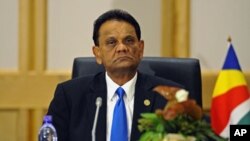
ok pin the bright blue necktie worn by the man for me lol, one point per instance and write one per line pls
(119, 130)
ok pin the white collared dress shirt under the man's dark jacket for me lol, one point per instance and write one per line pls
(112, 98)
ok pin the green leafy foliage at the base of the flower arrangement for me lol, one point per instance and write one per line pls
(154, 127)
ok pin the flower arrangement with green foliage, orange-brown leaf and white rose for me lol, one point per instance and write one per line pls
(180, 120)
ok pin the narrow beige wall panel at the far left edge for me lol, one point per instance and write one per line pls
(9, 34)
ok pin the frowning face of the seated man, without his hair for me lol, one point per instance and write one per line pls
(119, 48)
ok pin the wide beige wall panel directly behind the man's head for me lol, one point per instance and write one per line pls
(70, 25)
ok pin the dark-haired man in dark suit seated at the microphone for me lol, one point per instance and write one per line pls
(119, 48)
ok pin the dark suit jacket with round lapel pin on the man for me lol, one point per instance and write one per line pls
(73, 106)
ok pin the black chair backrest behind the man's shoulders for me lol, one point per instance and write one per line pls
(185, 71)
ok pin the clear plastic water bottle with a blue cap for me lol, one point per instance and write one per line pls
(47, 132)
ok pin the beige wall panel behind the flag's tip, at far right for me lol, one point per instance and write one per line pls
(212, 21)
